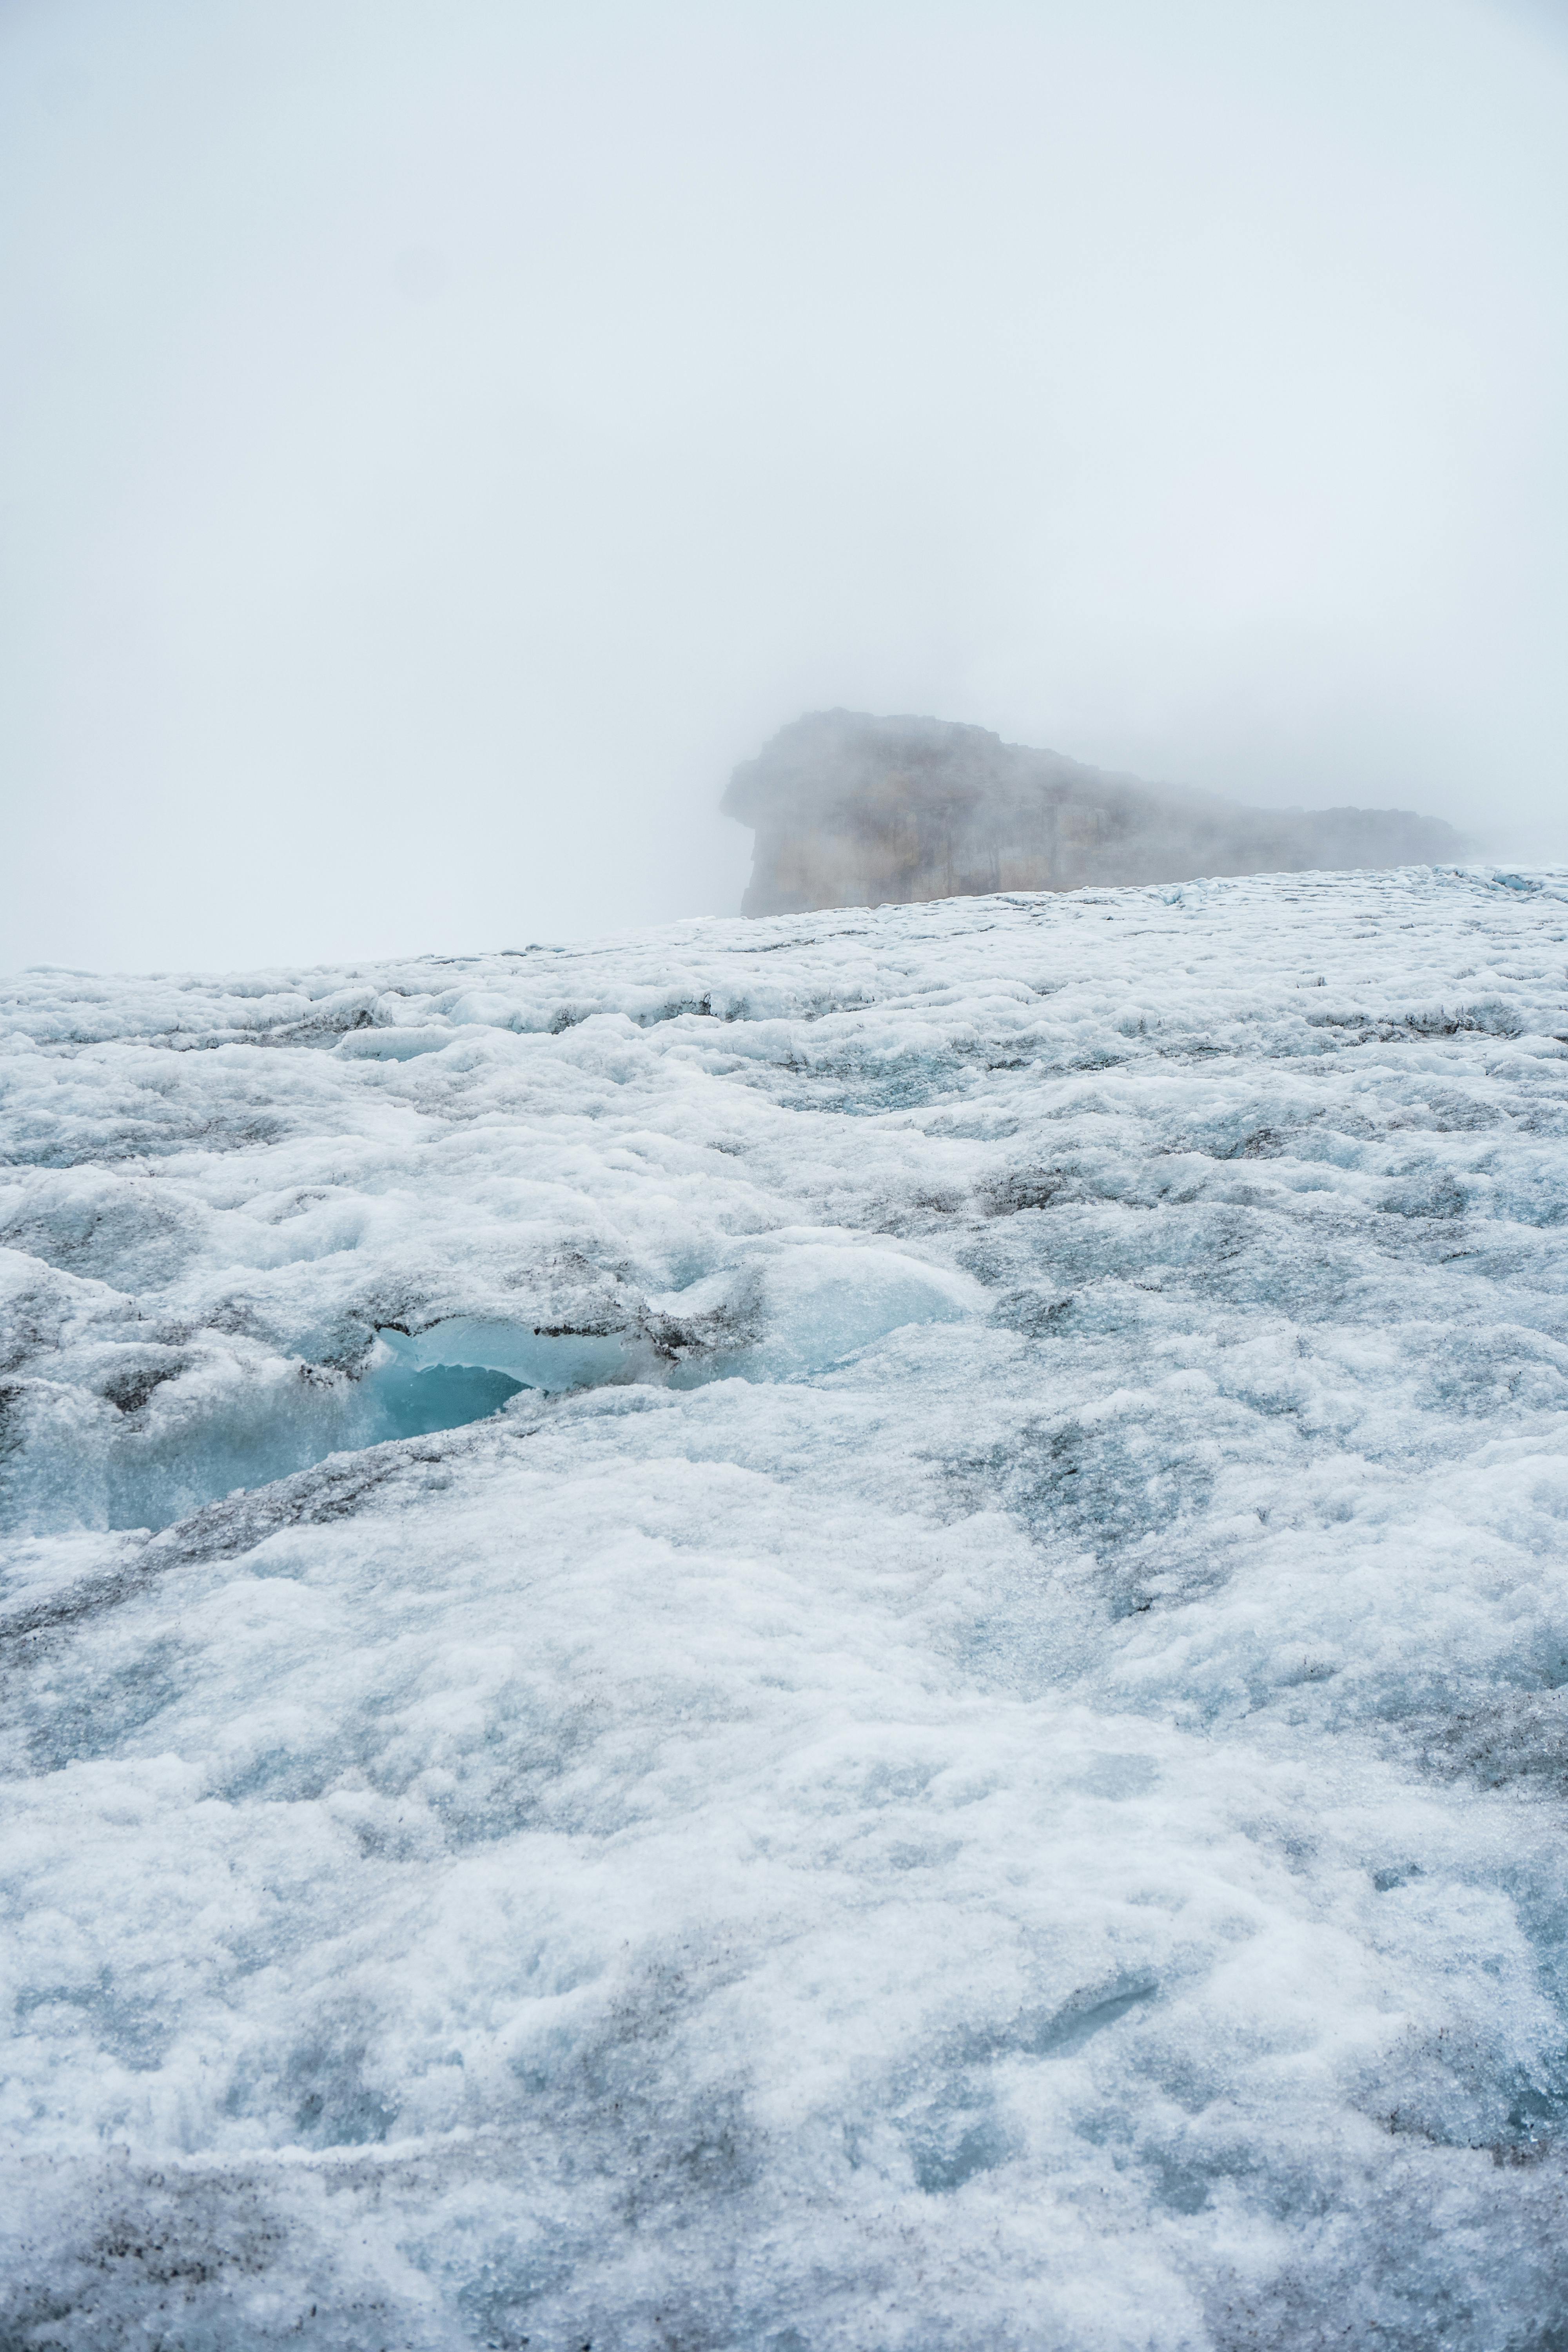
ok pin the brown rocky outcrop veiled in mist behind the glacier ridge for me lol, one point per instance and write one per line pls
(859, 810)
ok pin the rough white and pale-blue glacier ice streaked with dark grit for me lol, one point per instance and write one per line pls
(972, 1756)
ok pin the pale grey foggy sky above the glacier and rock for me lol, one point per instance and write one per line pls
(438, 441)
